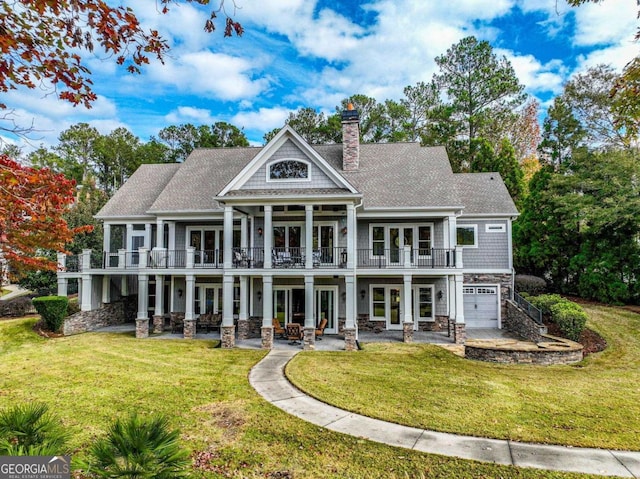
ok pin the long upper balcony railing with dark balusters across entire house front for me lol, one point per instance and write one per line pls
(254, 258)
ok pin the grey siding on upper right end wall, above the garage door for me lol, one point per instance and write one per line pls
(493, 248)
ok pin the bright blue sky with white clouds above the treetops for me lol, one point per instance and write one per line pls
(305, 53)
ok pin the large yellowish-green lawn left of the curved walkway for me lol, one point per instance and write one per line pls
(92, 378)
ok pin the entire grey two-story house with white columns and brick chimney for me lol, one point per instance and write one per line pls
(367, 236)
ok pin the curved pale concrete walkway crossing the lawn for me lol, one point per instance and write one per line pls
(268, 379)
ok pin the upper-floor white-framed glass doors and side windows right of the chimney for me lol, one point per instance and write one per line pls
(397, 236)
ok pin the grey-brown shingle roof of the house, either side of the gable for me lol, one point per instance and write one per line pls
(390, 175)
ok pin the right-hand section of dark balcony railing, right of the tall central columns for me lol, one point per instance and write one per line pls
(434, 258)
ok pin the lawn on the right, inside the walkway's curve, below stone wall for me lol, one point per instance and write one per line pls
(595, 403)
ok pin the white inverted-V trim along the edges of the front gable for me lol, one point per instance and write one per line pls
(285, 134)
